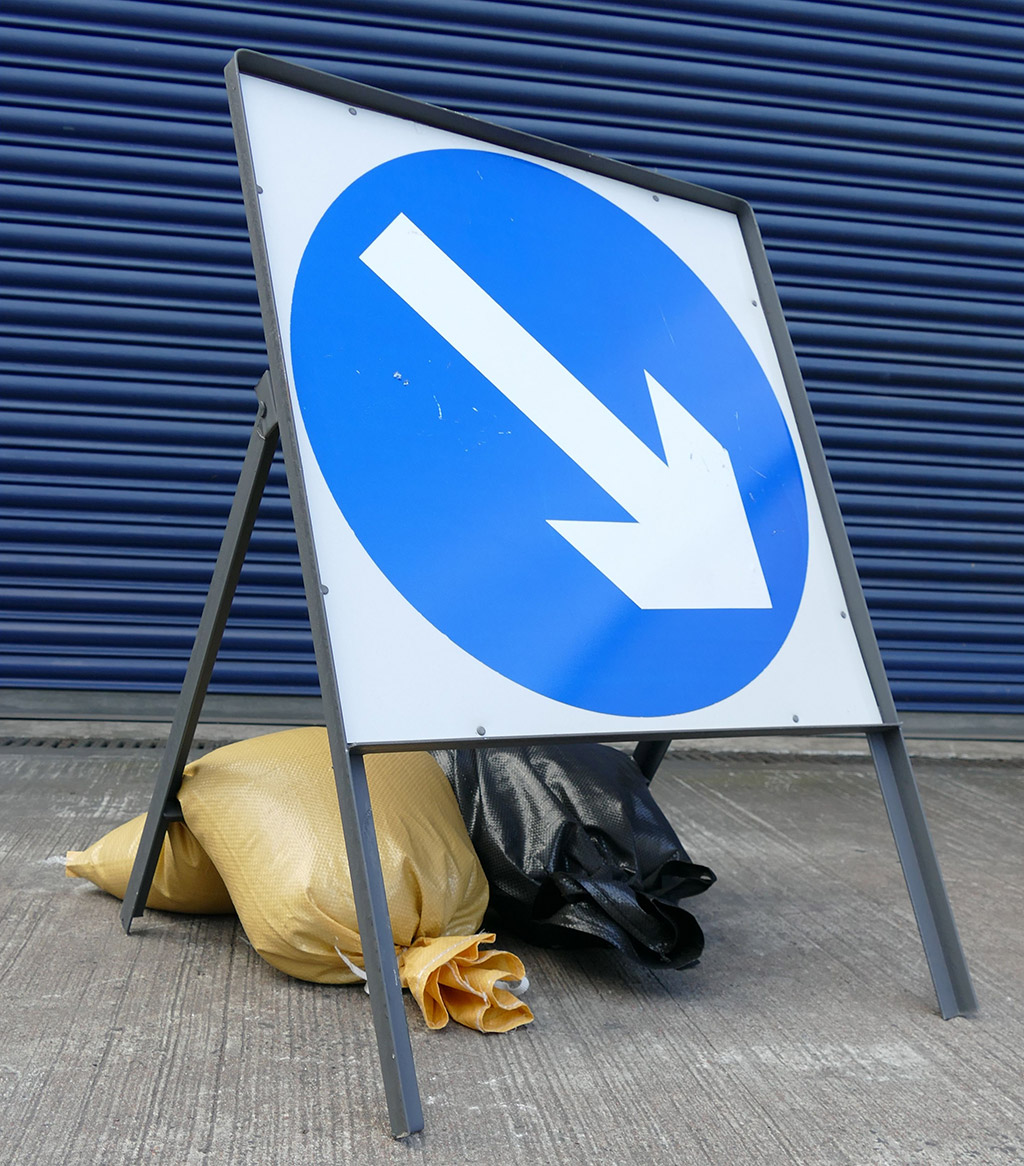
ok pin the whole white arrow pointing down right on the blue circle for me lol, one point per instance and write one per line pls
(691, 544)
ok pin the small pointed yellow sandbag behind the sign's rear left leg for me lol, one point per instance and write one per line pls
(186, 880)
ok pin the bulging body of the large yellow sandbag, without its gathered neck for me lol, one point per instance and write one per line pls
(266, 812)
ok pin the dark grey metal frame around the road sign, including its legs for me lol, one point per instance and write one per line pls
(942, 944)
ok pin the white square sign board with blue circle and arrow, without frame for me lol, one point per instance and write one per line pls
(555, 477)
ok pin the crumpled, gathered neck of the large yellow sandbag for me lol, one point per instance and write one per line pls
(450, 977)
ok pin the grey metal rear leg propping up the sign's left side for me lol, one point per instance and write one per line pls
(164, 806)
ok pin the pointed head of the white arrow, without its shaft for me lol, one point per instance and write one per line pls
(691, 546)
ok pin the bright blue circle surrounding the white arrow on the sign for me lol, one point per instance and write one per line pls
(451, 488)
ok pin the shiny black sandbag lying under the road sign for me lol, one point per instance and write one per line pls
(577, 852)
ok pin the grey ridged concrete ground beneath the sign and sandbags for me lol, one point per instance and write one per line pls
(808, 1035)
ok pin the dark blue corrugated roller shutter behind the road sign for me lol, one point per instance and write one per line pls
(880, 144)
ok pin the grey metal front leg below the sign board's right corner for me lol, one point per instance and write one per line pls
(924, 880)
